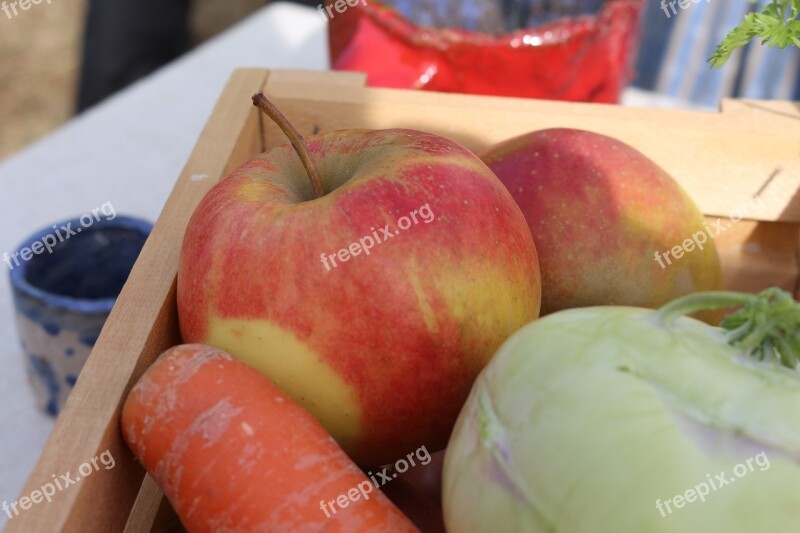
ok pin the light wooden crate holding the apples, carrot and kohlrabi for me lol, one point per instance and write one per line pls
(722, 159)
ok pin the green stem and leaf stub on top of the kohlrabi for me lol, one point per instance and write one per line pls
(767, 326)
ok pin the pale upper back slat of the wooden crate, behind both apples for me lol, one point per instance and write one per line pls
(721, 159)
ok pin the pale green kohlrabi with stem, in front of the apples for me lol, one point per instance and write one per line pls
(627, 420)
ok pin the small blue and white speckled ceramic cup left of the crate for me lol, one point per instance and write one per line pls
(65, 280)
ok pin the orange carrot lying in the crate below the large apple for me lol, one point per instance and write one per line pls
(232, 452)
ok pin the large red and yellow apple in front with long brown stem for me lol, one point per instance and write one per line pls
(380, 342)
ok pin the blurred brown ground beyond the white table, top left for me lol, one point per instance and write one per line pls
(40, 50)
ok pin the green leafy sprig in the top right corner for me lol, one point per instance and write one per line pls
(778, 24)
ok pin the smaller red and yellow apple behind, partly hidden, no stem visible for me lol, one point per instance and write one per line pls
(603, 216)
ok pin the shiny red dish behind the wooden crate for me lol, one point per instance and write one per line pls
(587, 58)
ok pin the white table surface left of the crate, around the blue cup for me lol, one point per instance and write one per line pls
(128, 151)
